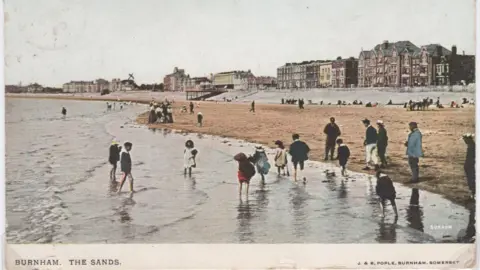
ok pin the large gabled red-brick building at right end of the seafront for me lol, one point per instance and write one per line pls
(402, 63)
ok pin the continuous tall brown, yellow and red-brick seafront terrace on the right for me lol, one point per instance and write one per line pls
(396, 64)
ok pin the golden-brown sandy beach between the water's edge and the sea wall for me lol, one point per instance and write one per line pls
(441, 170)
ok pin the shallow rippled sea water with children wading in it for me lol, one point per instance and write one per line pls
(58, 190)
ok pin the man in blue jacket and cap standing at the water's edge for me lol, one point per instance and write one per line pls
(414, 150)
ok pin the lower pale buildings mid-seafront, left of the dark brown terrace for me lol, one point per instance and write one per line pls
(179, 80)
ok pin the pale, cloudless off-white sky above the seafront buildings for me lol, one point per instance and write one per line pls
(54, 41)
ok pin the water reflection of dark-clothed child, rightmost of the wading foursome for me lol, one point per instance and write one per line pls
(298, 200)
